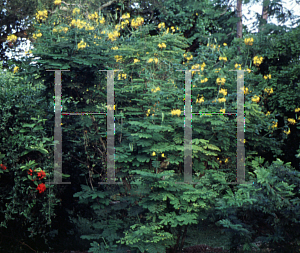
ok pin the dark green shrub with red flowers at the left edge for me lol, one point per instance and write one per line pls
(26, 158)
